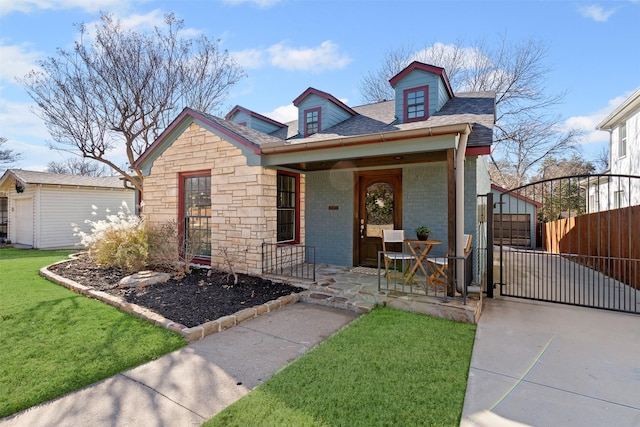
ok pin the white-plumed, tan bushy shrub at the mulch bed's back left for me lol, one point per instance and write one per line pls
(118, 241)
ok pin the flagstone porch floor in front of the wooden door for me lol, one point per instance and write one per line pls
(357, 289)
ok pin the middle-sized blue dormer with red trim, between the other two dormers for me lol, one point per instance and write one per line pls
(318, 110)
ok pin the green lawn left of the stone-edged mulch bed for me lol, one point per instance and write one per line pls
(54, 341)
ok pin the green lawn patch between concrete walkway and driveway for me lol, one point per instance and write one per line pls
(388, 368)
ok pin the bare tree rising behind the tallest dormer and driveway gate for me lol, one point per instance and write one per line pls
(526, 130)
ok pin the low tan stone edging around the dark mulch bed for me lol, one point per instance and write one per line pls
(190, 334)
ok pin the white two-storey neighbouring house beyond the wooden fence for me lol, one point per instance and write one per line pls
(623, 125)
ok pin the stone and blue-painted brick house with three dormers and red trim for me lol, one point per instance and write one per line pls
(332, 179)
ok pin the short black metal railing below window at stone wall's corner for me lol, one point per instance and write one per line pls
(295, 261)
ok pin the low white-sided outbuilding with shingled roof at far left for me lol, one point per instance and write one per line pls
(42, 206)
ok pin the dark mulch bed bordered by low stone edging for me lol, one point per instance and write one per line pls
(195, 299)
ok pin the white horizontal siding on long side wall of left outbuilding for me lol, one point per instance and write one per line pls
(59, 207)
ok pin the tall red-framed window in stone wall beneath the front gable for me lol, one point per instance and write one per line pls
(196, 214)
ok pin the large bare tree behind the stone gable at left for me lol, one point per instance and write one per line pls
(119, 88)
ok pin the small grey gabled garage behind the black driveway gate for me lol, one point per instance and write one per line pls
(518, 224)
